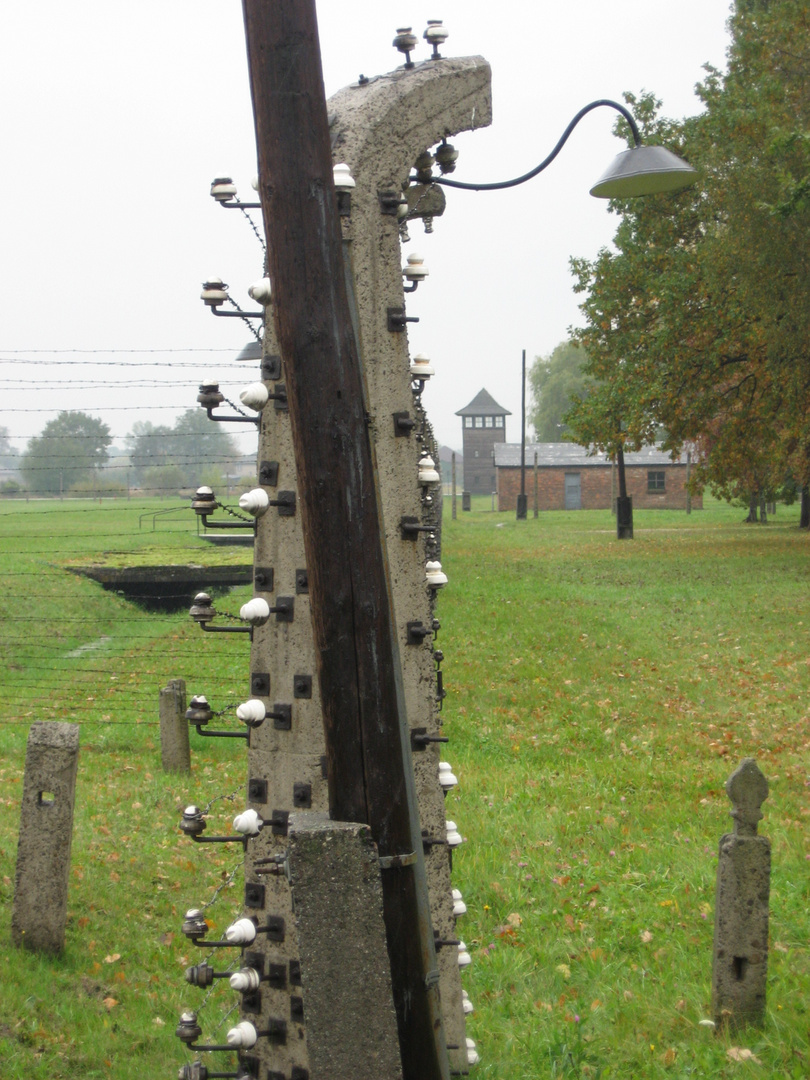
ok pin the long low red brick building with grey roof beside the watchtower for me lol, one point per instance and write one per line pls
(570, 480)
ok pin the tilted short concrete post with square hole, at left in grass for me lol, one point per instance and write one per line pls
(46, 834)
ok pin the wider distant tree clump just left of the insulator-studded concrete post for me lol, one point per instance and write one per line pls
(194, 448)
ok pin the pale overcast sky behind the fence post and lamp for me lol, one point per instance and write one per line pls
(116, 118)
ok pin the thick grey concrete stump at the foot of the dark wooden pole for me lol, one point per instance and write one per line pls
(349, 1011)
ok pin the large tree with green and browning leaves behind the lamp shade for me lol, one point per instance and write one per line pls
(700, 320)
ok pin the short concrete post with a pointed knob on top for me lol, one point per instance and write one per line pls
(741, 907)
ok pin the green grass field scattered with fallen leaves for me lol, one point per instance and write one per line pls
(600, 695)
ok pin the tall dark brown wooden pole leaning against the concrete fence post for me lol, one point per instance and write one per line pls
(362, 701)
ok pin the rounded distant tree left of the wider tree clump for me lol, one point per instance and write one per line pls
(72, 447)
